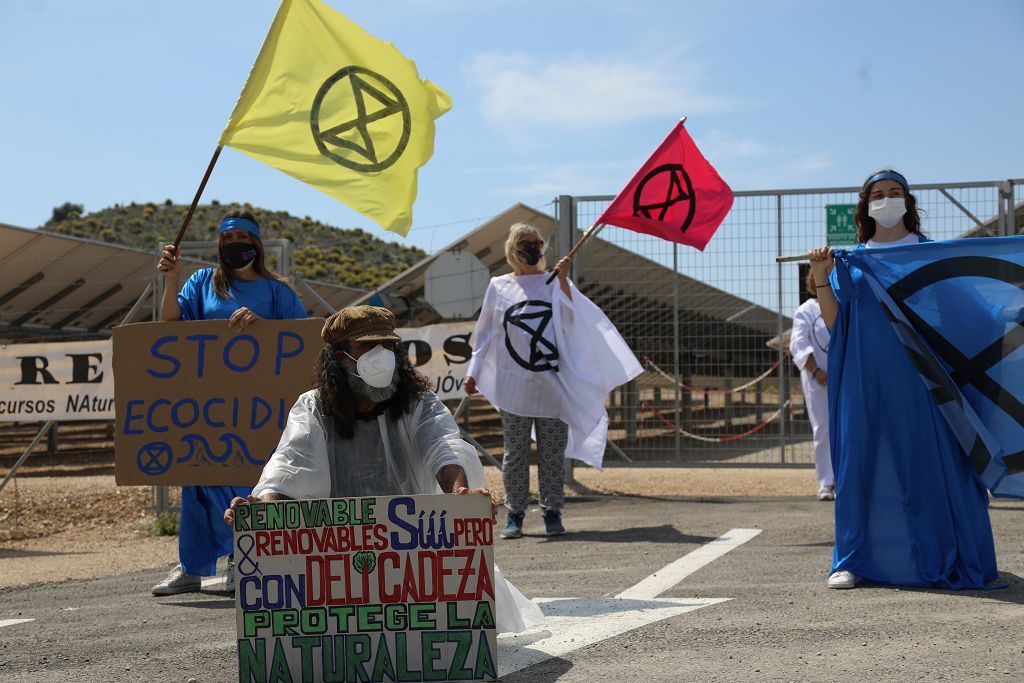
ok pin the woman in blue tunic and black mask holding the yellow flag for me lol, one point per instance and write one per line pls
(242, 290)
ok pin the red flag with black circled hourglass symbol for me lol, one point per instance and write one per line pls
(676, 196)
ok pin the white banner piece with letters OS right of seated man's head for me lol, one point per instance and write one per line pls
(441, 353)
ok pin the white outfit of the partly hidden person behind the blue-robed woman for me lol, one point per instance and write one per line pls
(810, 336)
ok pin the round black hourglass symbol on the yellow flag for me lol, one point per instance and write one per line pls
(365, 105)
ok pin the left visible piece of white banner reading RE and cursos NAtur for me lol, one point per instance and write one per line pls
(63, 381)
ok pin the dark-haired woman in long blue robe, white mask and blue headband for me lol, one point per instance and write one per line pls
(910, 510)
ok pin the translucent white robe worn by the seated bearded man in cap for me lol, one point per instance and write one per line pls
(414, 449)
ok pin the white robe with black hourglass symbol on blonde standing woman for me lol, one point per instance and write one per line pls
(538, 354)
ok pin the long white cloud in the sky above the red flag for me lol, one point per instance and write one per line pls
(520, 92)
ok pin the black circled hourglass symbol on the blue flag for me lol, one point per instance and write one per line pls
(969, 370)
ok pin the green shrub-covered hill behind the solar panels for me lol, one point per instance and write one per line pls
(344, 257)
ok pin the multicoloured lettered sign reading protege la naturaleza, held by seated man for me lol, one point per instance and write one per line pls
(366, 589)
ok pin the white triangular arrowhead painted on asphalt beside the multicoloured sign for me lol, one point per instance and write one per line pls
(574, 623)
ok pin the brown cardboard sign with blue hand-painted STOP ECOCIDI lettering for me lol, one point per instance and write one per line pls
(198, 403)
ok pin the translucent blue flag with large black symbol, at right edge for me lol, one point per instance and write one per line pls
(958, 309)
